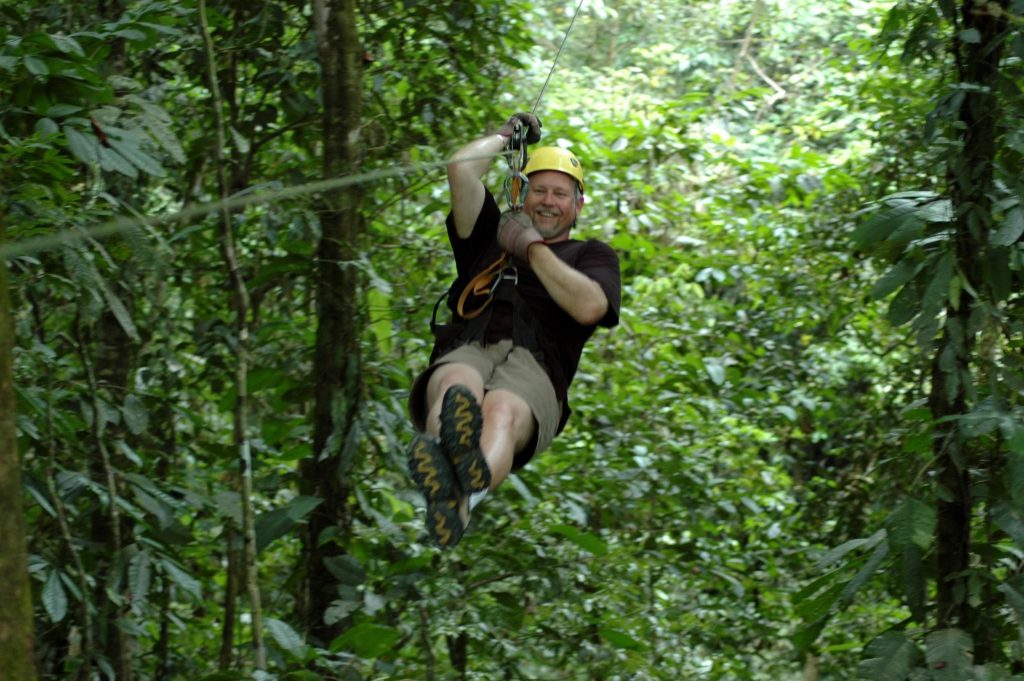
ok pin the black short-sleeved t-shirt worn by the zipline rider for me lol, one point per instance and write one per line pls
(568, 337)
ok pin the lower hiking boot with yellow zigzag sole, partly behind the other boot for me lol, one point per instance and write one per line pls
(436, 478)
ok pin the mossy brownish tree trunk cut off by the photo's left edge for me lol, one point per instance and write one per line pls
(16, 607)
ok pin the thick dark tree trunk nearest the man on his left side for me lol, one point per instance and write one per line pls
(337, 364)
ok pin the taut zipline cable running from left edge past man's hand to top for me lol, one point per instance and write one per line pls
(39, 244)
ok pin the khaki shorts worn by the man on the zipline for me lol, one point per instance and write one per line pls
(503, 367)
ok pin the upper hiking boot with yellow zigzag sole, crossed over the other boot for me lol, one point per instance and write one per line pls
(461, 427)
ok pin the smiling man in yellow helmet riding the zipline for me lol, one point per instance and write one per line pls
(496, 393)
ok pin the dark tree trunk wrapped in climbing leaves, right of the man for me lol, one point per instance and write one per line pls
(970, 177)
